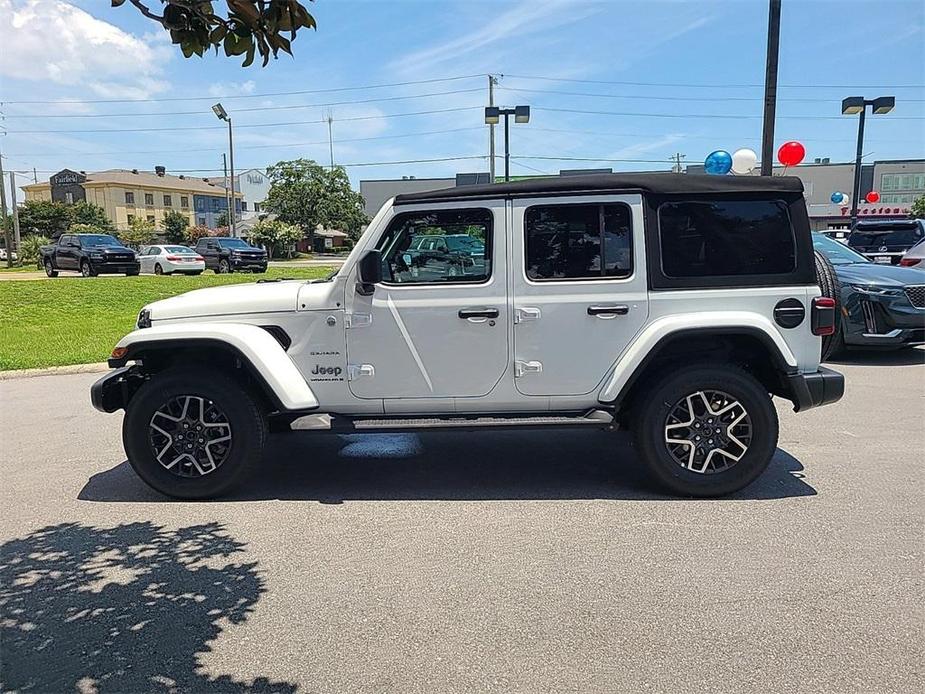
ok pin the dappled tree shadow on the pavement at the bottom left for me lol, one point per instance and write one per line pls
(123, 609)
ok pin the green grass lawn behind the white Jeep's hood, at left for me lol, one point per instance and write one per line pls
(72, 320)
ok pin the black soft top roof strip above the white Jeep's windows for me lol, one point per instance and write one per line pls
(659, 183)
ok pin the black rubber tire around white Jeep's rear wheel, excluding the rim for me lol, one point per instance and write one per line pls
(662, 396)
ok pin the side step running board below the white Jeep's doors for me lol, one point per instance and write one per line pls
(592, 418)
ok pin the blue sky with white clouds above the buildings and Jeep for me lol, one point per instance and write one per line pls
(660, 77)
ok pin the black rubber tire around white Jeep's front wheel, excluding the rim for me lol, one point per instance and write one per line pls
(248, 431)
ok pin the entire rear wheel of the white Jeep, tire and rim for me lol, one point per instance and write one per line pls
(706, 430)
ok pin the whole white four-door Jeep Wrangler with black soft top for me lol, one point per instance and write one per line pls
(675, 305)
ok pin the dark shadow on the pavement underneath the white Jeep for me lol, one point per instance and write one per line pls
(499, 465)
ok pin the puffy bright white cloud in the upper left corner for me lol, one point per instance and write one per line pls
(58, 42)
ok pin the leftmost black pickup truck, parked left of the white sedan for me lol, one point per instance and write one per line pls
(89, 254)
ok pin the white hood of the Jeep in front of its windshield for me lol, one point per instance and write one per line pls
(243, 299)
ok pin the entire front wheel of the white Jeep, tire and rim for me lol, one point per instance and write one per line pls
(193, 434)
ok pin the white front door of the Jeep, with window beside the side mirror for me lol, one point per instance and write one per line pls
(436, 326)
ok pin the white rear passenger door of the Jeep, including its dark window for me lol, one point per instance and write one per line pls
(580, 293)
